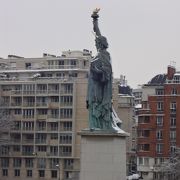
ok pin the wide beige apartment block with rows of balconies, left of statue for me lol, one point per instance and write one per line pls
(46, 99)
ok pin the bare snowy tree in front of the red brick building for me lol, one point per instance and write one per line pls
(171, 167)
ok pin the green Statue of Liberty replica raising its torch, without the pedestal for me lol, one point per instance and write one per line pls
(99, 96)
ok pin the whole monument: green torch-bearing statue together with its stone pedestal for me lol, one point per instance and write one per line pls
(103, 144)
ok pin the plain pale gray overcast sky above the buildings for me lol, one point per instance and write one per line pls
(143, 35)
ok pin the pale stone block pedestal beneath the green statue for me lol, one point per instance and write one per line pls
(103, 155)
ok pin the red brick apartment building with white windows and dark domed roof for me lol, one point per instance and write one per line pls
(158, 122)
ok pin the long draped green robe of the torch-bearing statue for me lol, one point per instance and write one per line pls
(100, 92)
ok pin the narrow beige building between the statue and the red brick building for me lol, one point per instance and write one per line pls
(123, 102)
